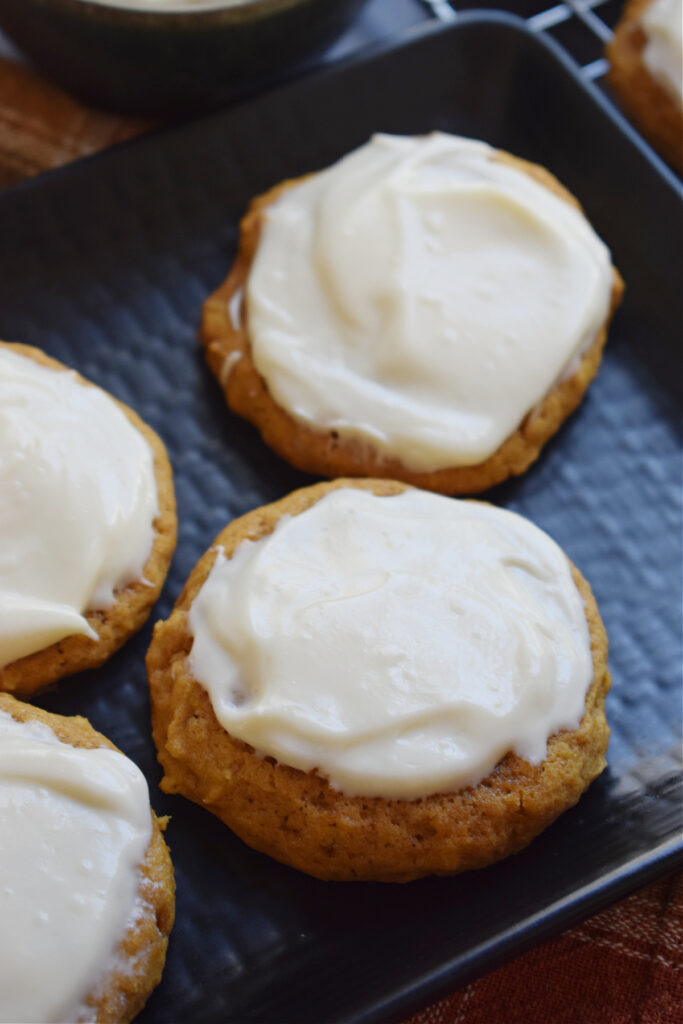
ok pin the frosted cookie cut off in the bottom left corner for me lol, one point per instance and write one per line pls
(88, 894)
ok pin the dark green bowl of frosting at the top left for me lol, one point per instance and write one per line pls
(142, 57)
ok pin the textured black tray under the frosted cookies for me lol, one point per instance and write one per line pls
(106, 267)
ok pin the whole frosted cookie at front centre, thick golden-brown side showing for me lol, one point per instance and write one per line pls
(369, 681)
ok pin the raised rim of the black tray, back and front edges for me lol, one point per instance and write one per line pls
(639, 871)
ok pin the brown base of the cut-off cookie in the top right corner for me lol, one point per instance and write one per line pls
(655, 111)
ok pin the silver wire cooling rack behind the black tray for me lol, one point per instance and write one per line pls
(582, 27)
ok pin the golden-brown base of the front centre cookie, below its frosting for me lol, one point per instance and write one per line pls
(300, 820)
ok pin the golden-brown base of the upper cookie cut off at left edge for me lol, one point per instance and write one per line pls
(134, 604)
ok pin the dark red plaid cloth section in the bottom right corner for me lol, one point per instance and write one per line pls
(624, 966)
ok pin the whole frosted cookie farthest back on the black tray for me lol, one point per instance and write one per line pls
(428, 310)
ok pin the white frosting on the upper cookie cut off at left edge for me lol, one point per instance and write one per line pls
(78, 500)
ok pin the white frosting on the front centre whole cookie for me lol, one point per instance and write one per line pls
(401, 646)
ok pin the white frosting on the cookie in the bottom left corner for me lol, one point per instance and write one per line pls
(75, 826)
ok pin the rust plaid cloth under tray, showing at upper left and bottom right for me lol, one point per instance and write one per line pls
(624, 966)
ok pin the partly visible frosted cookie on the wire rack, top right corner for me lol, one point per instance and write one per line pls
(647, 72)
